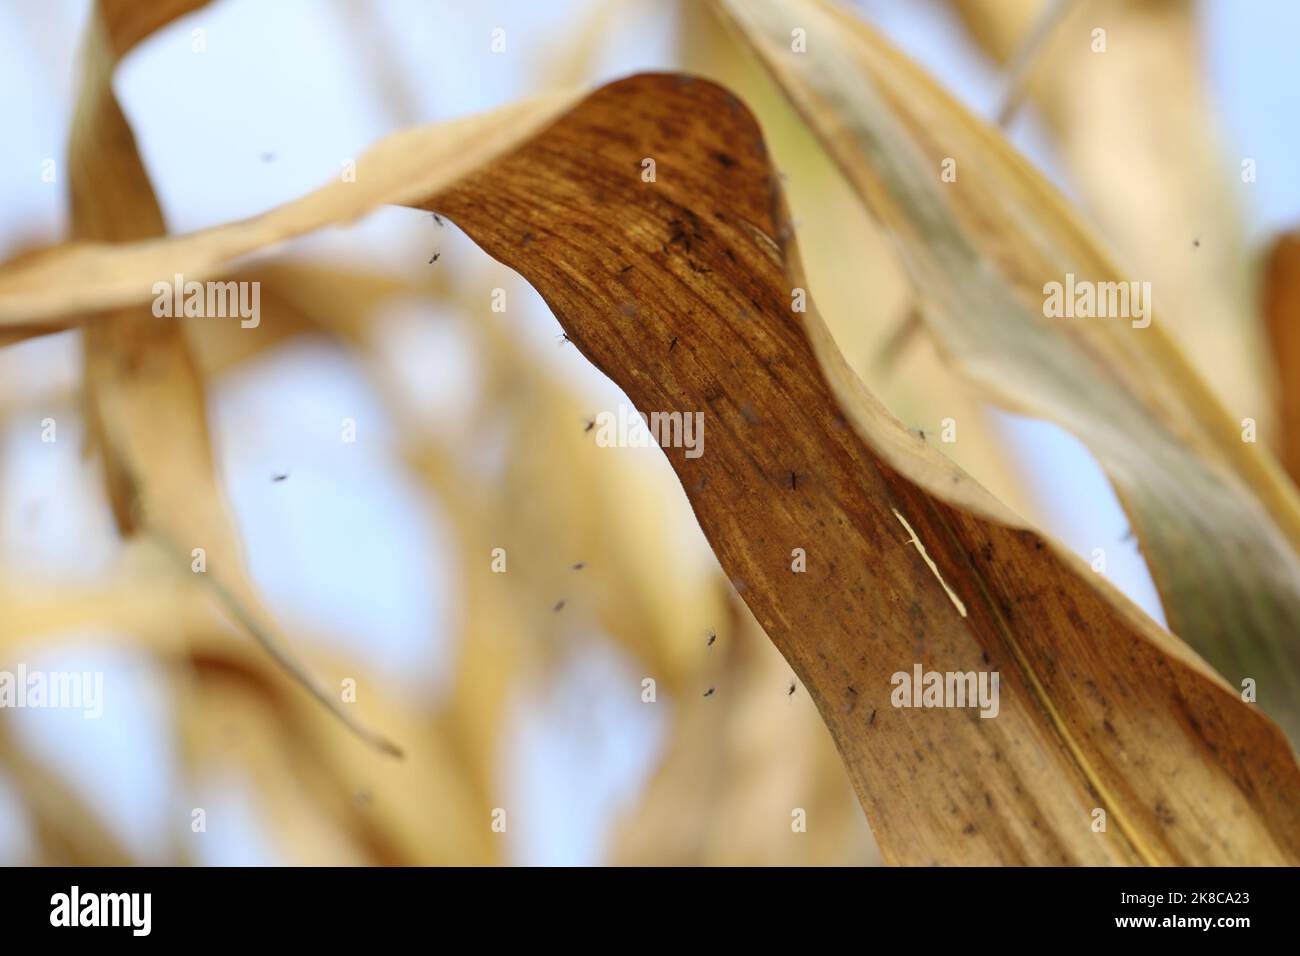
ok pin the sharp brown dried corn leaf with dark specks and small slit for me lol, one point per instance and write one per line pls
(1099, 707)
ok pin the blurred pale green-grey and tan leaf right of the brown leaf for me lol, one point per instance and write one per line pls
(1216, 517)
